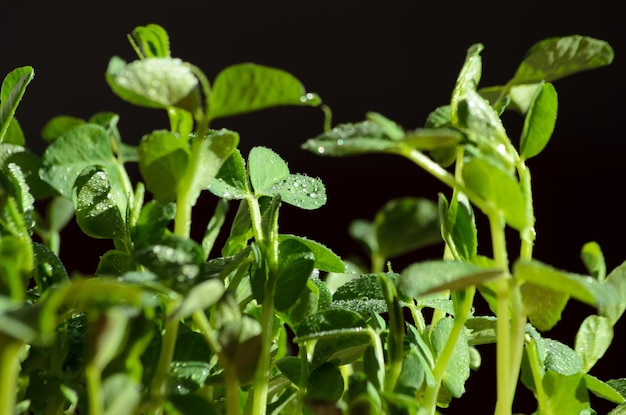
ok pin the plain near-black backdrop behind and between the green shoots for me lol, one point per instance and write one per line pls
(399, 58)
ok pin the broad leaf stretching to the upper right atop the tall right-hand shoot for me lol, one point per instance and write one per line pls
(558, 57)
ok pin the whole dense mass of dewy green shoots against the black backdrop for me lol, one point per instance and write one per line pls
(167, 326)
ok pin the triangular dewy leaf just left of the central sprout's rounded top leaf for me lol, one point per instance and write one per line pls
(231, 181)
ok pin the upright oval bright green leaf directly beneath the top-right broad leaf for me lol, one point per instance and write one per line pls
(539, 122)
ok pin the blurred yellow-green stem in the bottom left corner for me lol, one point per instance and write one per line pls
(10, 350)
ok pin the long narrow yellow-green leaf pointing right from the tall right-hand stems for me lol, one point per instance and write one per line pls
(583, 288)
